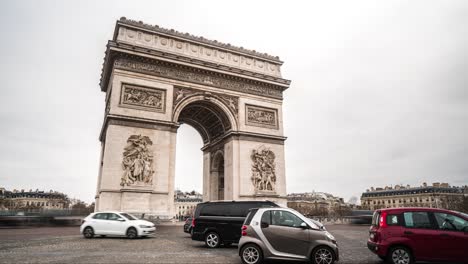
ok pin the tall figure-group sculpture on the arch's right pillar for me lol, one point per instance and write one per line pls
(263, 169)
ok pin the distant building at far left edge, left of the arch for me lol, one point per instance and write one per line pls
(24, 200)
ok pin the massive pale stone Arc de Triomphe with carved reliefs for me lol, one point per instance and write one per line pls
(156, 79)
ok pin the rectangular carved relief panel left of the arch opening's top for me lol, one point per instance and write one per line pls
(143, 97)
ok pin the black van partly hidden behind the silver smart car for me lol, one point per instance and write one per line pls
(219, 223)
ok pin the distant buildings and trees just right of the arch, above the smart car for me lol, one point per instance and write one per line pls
(318, 204)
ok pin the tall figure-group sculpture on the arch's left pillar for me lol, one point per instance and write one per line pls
(137, 162)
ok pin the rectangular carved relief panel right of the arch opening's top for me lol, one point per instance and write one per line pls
(261, 116)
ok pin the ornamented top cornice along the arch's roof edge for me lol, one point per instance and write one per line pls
(172, 32)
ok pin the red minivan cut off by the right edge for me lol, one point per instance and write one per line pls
(405, 235)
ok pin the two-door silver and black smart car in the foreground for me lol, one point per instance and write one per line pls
(283, 233)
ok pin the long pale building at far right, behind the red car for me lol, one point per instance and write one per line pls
(439, 195)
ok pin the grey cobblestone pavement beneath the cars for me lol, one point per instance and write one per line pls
(169, 245)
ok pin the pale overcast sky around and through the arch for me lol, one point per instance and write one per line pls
(379, 92)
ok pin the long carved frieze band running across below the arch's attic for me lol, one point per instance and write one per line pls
(186, 74)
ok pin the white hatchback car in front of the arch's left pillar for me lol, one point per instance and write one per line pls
(115, 224)
